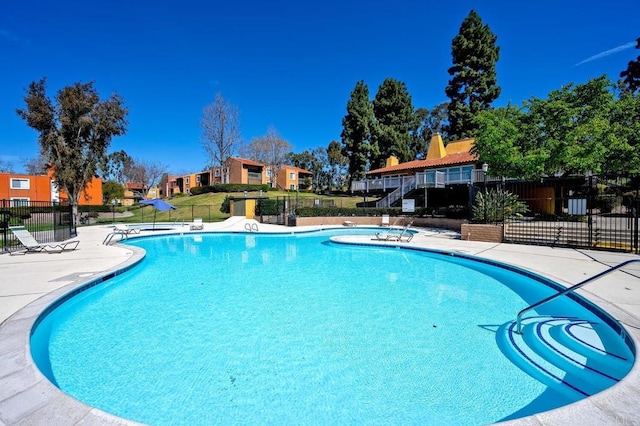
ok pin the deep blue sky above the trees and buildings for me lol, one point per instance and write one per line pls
(284, 63)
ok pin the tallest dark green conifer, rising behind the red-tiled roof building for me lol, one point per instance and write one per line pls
(473, 85)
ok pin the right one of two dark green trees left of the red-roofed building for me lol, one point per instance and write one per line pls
(395, 122)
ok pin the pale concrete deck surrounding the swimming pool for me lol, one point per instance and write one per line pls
(29, 283)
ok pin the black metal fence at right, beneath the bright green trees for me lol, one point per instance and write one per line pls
(583, 212)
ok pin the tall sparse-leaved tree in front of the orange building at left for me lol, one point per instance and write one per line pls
(75, 132)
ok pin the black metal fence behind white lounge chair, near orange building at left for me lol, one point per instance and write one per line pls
(48, 222)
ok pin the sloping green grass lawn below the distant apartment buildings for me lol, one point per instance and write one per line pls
(207, 206)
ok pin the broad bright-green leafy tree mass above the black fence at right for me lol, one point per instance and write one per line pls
(575, 130)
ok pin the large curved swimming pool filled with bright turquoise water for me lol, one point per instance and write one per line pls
(359, 337)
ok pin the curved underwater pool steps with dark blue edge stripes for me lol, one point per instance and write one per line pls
(577, 357)
